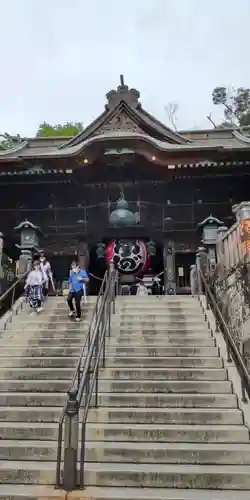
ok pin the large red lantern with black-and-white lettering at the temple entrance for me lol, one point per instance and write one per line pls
(128, 256)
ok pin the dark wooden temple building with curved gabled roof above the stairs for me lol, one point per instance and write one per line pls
(126, 181)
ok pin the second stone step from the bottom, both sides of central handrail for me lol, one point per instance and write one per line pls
(137, 475)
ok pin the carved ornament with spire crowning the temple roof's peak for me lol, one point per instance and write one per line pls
(123, 93)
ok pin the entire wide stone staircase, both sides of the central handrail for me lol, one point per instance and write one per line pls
(168, 427)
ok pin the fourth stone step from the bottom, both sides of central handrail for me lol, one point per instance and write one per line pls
(130, 432)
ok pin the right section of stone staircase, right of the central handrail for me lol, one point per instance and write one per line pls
(169, 426)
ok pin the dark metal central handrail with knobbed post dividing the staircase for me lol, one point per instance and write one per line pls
(84, 383)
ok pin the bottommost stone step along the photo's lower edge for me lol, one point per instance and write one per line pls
(41, 492)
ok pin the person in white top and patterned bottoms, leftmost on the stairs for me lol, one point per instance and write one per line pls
(34, 287)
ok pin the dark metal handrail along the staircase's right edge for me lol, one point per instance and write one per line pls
(232, 348)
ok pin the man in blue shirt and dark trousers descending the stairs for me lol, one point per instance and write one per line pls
(77, 281)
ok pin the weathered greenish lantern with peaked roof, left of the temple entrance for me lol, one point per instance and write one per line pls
(29, 235)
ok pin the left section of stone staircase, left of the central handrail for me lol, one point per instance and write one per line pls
(38, 356)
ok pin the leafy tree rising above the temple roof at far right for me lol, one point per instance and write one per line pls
(236, 104)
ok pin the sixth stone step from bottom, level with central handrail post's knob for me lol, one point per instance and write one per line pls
(124, 400)
